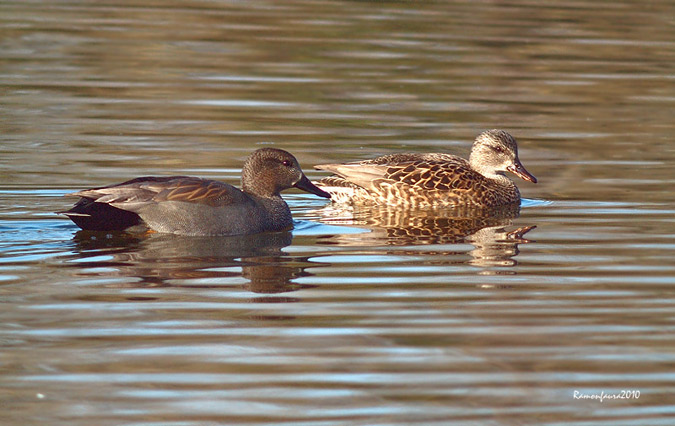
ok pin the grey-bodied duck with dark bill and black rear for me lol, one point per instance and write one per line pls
(193, 206)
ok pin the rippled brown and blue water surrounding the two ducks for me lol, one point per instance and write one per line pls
(360, 317)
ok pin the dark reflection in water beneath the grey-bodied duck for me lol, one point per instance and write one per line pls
(163, 260)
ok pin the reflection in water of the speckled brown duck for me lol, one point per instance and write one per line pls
(485, 229)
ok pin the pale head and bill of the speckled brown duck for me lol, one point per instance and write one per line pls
(496, 151)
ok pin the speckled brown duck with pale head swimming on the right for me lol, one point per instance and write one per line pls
(435, 179)
